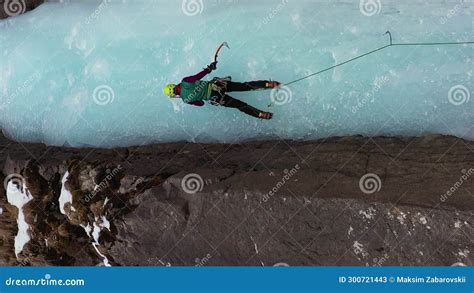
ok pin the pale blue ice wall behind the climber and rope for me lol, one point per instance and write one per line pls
(92, 72)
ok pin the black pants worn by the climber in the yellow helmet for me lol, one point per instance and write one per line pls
(222, 99)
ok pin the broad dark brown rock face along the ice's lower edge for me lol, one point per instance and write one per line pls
(339, 201)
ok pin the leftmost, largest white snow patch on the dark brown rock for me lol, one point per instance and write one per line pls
(19, 196)
